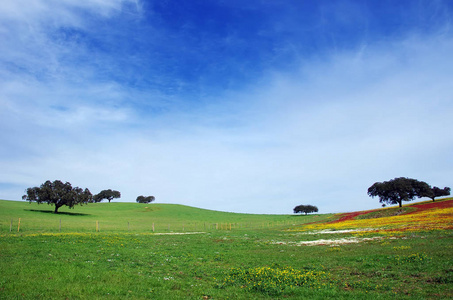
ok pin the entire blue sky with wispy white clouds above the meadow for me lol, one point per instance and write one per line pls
(251, 107)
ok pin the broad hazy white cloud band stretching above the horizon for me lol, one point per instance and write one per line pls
(320, 136)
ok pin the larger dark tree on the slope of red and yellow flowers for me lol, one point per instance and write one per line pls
(400, 189)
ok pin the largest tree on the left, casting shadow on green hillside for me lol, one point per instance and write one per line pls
(58, 193)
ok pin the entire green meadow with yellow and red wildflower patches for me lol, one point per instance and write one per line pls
(110, 251)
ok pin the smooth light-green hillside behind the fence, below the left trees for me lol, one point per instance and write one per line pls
(131, 217)
